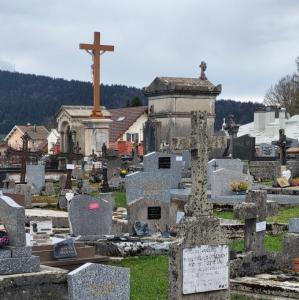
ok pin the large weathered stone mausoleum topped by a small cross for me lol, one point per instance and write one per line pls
(170, 102)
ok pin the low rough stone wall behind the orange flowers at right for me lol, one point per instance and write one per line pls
(264, 170)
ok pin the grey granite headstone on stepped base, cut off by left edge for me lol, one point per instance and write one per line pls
(16, 257)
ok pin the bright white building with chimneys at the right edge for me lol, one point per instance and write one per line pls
(266, 125)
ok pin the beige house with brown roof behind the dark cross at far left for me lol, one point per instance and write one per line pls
(38, 137)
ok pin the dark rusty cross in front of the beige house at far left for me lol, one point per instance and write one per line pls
(24, 154)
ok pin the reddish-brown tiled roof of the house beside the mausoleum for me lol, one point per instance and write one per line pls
(124, 118)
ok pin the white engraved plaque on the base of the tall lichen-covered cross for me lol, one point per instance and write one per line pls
(205, 268)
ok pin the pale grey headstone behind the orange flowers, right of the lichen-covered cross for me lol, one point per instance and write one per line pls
(222, 179)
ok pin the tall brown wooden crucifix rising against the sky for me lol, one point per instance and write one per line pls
(96, 49)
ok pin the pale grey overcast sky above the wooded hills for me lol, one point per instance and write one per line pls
(247, 45)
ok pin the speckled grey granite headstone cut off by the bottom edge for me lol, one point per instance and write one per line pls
(99, 282)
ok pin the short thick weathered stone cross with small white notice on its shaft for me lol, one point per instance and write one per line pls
(255, 210)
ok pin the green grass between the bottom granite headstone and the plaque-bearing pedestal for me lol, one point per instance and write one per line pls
(149, 277)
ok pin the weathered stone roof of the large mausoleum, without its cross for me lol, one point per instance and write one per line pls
(180, 85)
